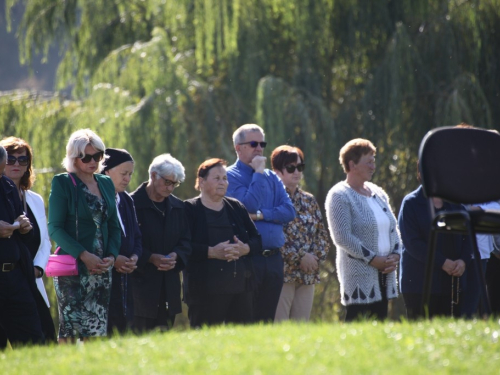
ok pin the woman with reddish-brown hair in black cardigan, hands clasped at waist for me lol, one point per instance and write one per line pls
(218, 277)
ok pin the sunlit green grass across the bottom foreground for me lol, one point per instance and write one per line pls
(440, 346)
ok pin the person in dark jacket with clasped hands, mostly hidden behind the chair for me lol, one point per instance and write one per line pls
(452, 255)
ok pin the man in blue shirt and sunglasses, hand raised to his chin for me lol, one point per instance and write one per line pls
(265, 198)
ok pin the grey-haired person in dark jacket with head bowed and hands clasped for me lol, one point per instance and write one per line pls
(166, 246)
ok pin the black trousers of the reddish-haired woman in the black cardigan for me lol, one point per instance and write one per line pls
(214, 309)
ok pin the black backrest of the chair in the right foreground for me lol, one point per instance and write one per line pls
(461, 165)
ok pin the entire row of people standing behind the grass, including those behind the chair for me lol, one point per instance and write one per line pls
(249, 246)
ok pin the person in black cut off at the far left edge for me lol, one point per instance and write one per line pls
(19, 319)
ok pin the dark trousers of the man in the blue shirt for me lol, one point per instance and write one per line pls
(269, 279)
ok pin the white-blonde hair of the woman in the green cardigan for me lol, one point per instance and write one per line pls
(76, 147)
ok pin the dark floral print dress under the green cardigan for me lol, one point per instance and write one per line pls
(84, 299)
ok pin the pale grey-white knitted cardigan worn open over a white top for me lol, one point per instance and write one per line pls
(353, 228)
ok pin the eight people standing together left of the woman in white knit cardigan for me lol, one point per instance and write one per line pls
(131, 248)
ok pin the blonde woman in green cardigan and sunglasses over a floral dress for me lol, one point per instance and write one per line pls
(83, 221)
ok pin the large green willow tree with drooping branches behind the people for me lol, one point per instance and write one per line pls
(179, 76)
